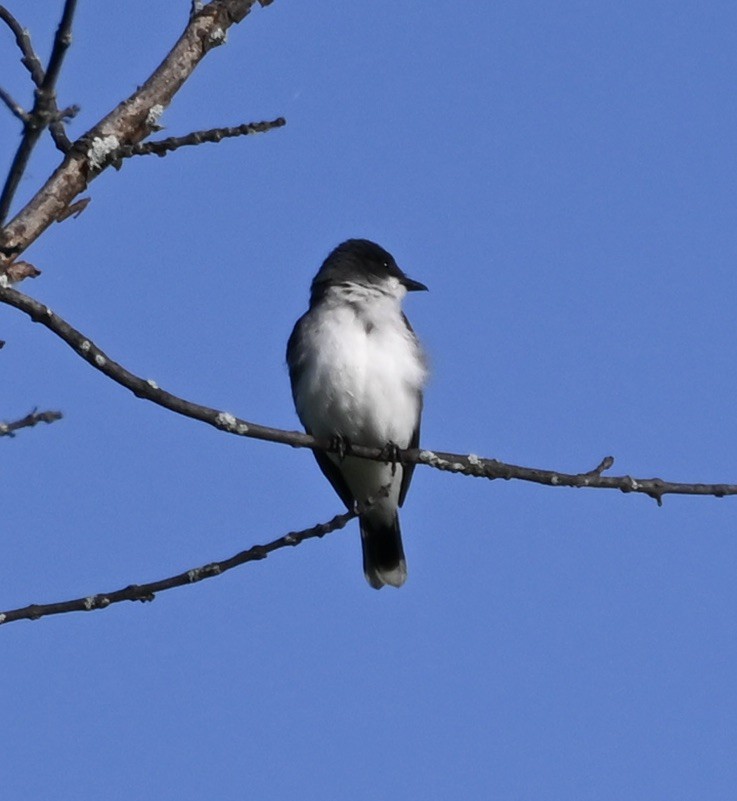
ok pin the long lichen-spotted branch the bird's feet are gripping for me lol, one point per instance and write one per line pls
(469, 464)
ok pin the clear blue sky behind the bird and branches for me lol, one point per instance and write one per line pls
(562, 176)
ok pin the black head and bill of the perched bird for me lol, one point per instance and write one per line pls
(363, 263)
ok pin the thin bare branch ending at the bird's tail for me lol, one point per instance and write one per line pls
(147, 592)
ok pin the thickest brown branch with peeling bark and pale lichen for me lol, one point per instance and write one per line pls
(128, 124)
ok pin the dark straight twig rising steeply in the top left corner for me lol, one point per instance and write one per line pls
(43, 112)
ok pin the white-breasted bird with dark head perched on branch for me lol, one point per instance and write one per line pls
(357, 373)
